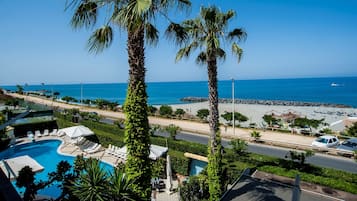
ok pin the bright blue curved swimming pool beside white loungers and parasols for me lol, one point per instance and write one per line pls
(45, 153)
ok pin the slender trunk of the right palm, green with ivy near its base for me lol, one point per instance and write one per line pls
(215, 155)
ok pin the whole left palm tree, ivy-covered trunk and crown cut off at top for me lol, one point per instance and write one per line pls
(135, 17)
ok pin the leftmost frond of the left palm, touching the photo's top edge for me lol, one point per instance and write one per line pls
(85, 15)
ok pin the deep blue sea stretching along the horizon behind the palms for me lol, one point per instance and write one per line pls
(335, 90)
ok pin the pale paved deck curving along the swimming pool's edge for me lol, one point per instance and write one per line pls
(69, 149)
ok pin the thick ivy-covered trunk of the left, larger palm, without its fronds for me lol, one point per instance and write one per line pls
(137, 137)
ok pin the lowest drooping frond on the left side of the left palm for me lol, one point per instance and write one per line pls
(100, 39)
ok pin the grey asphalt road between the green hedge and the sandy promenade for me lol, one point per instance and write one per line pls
(318, 159)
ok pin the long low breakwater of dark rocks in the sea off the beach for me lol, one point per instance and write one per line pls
(264, 102)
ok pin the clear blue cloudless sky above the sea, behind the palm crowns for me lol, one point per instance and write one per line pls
(286, 39)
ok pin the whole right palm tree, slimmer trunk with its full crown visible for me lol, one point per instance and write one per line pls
(206, 33)
